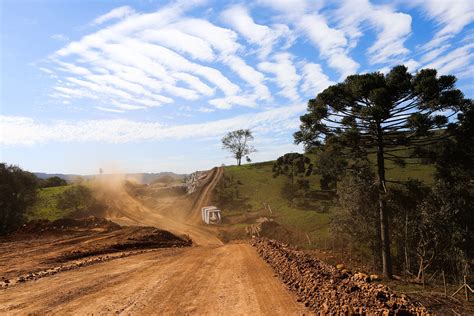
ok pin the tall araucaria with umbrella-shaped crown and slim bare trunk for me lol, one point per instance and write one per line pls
(383, 115)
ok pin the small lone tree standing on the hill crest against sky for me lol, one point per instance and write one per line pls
(237, 142)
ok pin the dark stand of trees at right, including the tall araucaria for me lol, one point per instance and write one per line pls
(359, 129)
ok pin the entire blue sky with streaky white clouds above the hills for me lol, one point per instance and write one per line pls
(148, 86)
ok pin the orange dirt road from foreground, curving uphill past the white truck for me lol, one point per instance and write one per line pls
(211, 278)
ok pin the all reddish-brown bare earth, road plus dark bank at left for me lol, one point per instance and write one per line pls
(69, 272)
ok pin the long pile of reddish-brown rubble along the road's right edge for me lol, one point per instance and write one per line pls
(329, 291)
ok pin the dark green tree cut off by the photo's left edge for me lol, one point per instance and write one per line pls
(17, 193)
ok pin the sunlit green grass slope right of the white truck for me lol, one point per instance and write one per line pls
(257, 186)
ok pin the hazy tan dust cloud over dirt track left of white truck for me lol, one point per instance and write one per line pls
(128, 202)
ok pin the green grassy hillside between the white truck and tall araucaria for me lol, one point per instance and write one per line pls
(253, 185)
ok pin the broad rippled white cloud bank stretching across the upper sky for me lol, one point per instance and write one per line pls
(236, 58)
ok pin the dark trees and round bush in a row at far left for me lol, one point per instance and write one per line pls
(19, 192)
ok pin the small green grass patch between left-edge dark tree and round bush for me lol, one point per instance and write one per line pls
(46, 204)
